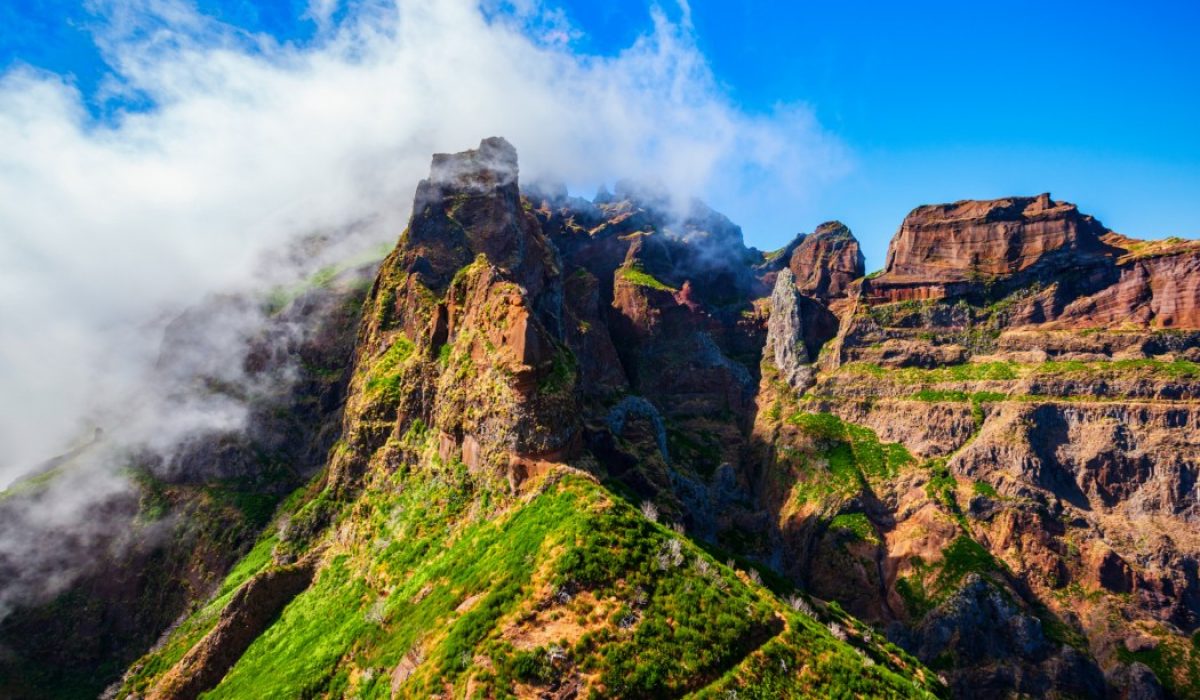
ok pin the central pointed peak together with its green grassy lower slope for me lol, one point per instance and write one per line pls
(461, 542)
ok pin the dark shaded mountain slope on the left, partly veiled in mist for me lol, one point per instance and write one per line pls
(99, 584)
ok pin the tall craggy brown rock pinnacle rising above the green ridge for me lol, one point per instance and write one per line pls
(475, 292)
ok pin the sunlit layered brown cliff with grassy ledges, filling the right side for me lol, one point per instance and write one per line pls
(1028, 358)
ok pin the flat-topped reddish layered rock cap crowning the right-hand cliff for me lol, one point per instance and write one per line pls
(1084, 276)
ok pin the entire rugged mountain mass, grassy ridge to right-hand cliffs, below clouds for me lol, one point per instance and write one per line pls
(574, 448)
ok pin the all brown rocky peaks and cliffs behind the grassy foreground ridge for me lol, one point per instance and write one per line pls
(542, 330)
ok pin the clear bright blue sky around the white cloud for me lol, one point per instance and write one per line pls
(1096, 103)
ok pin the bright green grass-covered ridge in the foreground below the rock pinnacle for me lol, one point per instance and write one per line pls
(441, 590)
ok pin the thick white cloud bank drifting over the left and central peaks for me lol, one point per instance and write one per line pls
(107, 229)
